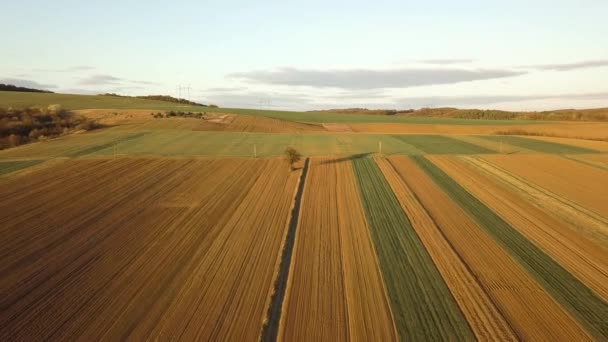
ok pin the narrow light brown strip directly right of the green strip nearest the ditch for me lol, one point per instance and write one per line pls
(485, 319)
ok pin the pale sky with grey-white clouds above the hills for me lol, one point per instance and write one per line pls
(306, 55)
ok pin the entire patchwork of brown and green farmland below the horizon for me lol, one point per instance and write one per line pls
(191, 229)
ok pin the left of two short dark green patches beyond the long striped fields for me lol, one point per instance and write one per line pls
(439, 144)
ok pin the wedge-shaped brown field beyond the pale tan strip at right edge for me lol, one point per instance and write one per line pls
(574, 181)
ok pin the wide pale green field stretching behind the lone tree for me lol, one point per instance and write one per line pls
(171, 142)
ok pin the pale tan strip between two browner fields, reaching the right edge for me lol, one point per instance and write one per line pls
(583, 221)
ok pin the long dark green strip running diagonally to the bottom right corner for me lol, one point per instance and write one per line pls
(573, 295)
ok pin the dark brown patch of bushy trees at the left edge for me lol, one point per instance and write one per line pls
(21, 126)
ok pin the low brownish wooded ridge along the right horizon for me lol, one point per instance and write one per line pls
(598, 114)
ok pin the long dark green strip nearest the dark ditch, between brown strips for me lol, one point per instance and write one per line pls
(422, 305)
